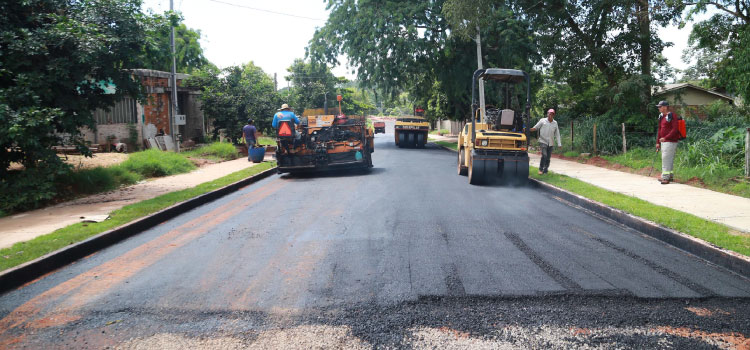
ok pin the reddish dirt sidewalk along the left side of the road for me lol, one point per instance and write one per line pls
(31, 224)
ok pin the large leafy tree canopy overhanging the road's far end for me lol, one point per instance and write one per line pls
(407, 46)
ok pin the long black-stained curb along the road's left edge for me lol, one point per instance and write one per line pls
(29, 271)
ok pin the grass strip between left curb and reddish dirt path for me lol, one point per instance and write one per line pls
(22, 252)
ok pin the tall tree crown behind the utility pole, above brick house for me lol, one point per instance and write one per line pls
(157, 52)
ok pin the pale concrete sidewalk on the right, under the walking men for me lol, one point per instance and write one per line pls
(726, 209)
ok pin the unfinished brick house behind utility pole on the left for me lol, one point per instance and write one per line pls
(147, 118)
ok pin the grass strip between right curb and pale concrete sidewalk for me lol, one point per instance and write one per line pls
(706, 230)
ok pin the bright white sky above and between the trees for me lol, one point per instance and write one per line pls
(273, 33)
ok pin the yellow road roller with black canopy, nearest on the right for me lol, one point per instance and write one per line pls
(495, 148)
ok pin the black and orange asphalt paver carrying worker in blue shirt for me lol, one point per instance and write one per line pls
(324, 142)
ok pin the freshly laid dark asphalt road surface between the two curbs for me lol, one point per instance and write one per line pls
(407, 255)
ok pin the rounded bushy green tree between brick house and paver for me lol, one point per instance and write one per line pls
(233, 95)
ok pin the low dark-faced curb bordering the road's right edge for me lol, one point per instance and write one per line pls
(727, 259)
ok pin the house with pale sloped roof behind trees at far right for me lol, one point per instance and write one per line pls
(689, 100)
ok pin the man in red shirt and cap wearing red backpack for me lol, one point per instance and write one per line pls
(667, 137)
